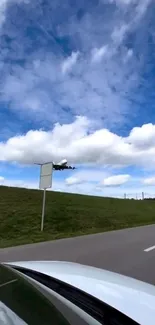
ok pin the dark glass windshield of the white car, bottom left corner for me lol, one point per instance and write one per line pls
(21, 303)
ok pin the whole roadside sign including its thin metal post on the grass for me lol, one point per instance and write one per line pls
(45, 182)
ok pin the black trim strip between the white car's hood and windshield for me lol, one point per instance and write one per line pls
(99, 310)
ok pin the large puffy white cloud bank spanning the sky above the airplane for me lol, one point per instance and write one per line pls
(78, 144)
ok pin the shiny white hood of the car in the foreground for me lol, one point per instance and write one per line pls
(134, 298)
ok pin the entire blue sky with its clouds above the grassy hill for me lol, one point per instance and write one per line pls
(77, 82)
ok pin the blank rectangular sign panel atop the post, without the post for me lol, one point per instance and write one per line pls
(46, 176)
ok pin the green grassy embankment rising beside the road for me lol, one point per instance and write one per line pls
(66, 215)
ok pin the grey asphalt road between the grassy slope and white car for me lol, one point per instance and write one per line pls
(120, 251)
